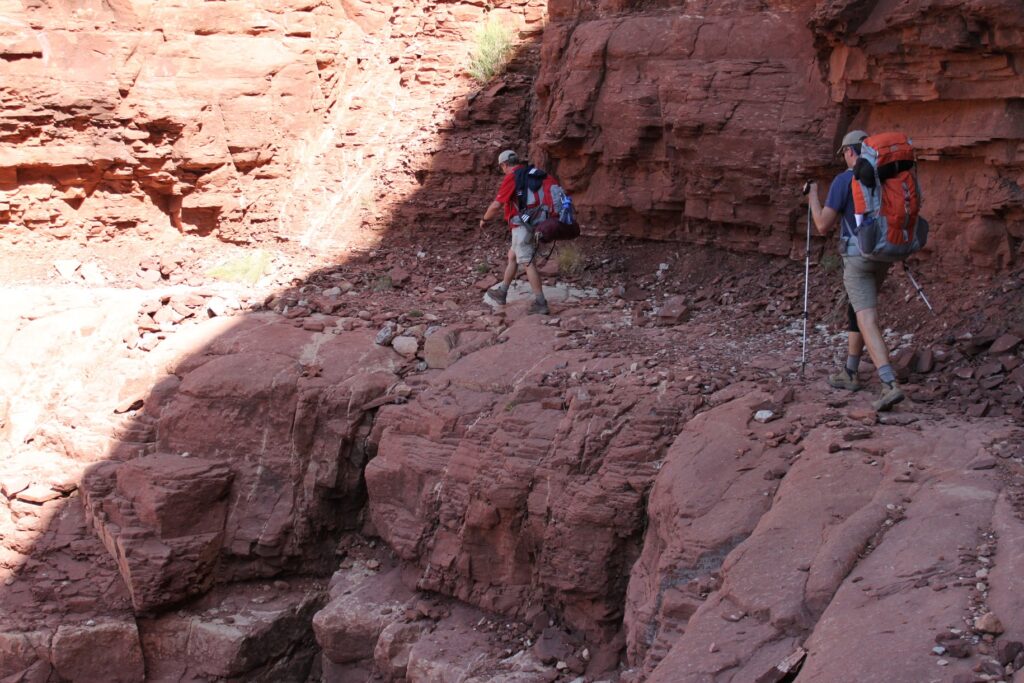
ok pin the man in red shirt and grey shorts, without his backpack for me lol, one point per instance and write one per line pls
(527, 198)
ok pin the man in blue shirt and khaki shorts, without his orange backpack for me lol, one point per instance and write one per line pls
(863, 275)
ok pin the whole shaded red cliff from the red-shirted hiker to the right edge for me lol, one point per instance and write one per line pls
(700, 121)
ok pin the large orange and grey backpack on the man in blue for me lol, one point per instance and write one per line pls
(887, 199)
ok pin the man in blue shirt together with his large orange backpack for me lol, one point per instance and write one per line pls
(877, 203)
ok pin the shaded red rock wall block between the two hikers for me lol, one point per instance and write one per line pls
(690, 123)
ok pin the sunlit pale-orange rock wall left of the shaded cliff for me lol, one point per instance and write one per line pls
(287, 121)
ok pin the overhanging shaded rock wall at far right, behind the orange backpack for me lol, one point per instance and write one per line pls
(949, 74)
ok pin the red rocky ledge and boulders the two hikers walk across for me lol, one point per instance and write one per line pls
(510, 498)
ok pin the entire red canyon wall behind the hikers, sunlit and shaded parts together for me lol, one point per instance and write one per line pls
(324, 124)
